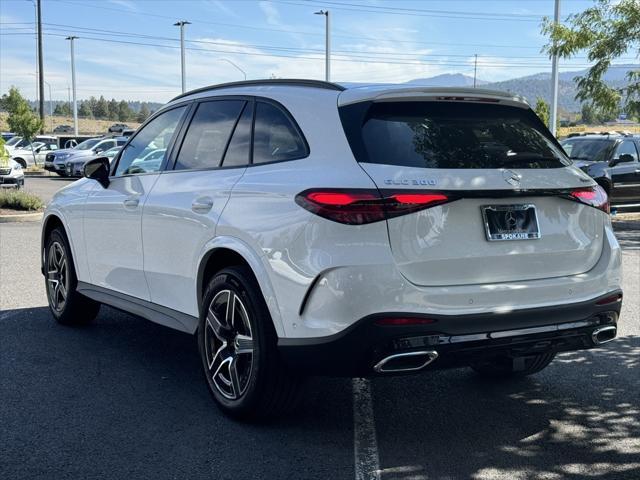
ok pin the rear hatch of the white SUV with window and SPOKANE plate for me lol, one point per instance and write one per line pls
(509, 213)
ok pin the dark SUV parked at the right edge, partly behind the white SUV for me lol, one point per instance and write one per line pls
(612, 161)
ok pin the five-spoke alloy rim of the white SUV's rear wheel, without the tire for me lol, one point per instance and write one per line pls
(228, 345)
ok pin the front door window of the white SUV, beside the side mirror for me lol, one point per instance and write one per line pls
(141, 154)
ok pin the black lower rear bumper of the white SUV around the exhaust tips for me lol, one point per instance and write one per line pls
(458, 340)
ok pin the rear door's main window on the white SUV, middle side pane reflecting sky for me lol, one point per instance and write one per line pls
(208, 134)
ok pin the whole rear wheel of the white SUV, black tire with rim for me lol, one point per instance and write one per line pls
(264, 388)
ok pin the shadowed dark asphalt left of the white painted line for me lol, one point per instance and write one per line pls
(125, 398)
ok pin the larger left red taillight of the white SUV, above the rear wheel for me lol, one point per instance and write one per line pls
(360, 206)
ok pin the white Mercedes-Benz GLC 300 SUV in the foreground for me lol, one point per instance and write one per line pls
(301, 228)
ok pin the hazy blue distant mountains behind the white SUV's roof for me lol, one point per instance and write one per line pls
(534, 86)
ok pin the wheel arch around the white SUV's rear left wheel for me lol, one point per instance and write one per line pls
(227, 252)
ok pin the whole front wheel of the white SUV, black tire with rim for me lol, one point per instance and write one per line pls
(71, 308)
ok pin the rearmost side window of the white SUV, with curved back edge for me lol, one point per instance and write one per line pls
(274, 137)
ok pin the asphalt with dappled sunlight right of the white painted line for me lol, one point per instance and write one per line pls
(578, 418)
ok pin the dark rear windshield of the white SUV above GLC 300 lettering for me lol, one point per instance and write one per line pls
(449, 135)
